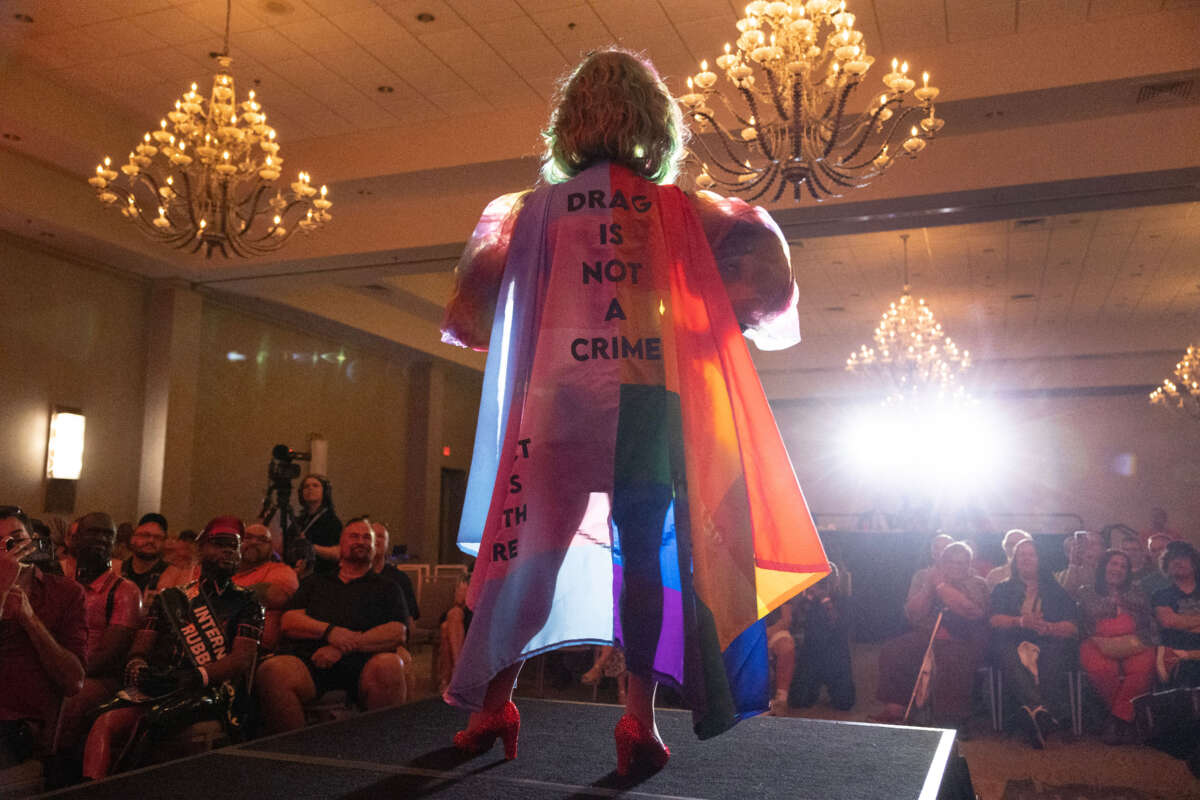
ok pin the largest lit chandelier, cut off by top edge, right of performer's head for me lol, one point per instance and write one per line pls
(791, 76)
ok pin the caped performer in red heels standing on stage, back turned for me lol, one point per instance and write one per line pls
(628, 483)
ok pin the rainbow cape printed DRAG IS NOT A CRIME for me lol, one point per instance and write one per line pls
(628, 483)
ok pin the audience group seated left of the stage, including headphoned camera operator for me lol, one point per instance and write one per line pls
(105, 660)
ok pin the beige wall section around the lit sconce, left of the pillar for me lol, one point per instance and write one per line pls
(70, 335)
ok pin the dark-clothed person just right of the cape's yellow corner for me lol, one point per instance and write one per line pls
(821, 627)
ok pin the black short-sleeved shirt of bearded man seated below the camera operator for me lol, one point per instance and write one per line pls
(361, 605)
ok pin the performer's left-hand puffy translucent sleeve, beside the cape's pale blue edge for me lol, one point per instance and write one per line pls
(469, 321)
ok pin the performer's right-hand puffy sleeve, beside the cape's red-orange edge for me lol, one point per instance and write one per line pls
(755, 267)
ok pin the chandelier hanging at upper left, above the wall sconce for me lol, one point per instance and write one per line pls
(207, 177)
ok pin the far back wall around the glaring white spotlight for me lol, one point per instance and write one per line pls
(1108, 459)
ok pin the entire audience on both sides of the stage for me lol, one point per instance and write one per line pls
(104, 659)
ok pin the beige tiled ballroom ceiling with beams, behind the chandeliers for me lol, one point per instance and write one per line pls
(1055, 178)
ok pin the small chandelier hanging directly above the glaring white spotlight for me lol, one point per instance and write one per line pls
(913, 356)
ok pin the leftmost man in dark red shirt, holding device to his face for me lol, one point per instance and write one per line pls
(44, 639)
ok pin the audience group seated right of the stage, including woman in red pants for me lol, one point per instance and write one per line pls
(1125, 613)
